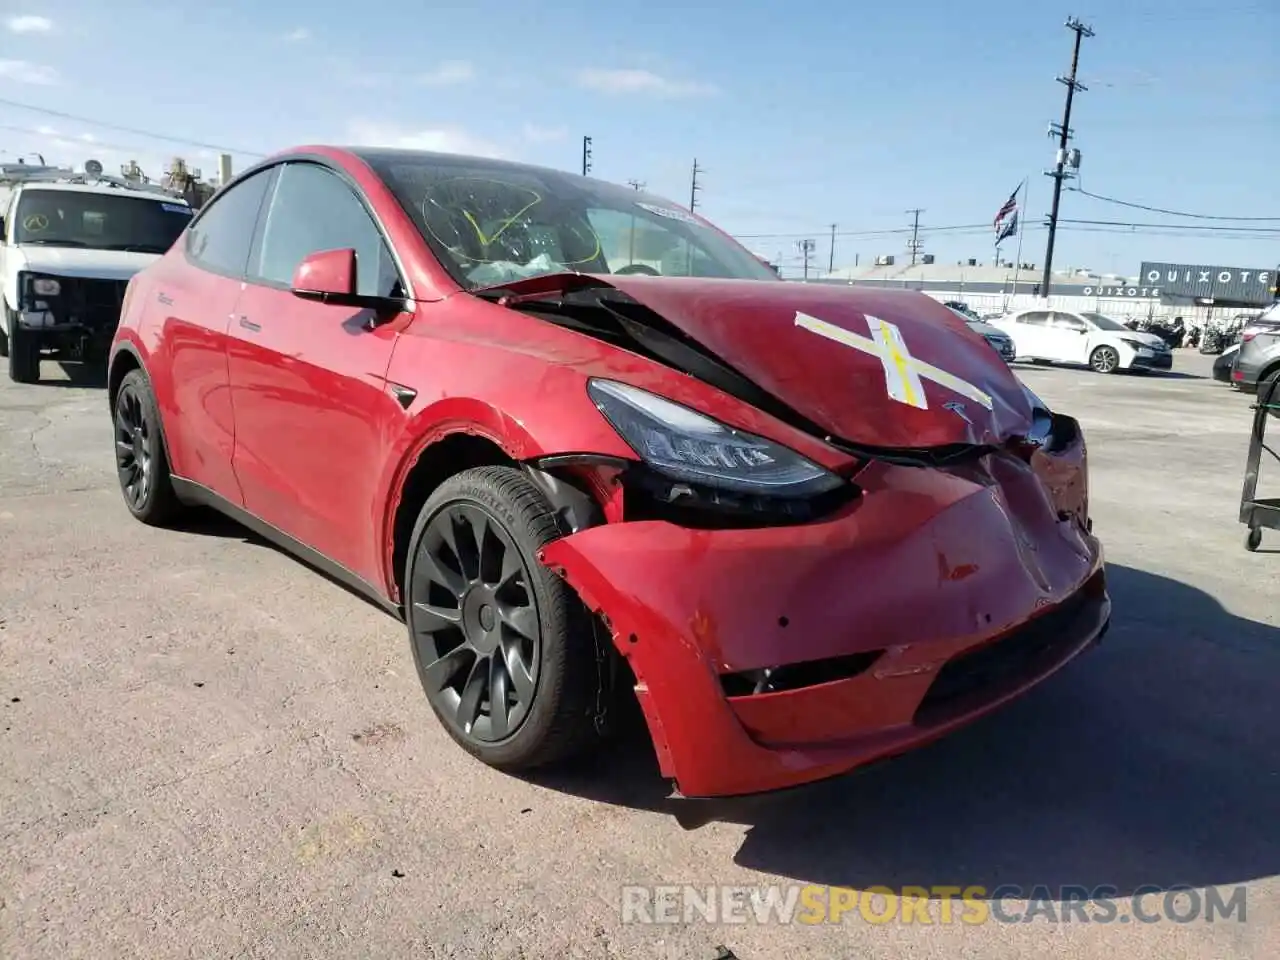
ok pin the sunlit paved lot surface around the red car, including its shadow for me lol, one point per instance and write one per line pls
(209, 751)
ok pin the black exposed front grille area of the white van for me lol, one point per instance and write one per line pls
(75, 317)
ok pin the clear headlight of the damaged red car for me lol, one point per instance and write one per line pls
(688, 446)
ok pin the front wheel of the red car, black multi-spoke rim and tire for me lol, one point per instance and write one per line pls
(472, 641)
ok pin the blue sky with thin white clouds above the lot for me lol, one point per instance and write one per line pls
(803, 116)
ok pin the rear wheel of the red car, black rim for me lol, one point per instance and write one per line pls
(141, 460)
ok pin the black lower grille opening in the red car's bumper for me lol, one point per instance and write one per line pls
(968, 682)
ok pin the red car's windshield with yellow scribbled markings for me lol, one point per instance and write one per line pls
(493, 223)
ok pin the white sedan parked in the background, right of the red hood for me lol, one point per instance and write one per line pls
(1067, 337)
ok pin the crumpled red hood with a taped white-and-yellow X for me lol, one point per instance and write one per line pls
(876, 368)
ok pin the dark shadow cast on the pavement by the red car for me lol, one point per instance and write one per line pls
(1146, 764)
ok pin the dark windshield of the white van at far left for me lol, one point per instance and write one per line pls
(65, 218)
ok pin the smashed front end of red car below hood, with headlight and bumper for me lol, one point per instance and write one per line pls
(788, 620)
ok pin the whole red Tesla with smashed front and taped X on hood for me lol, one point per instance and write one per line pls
(589, 447)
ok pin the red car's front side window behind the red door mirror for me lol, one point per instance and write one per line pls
(314, 211)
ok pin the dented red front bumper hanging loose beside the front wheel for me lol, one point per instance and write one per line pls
(932, 601)
